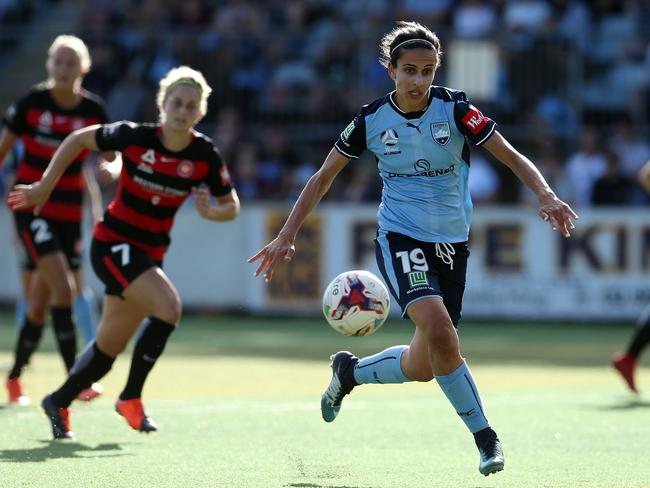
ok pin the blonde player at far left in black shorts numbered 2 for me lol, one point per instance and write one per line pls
(52, 240)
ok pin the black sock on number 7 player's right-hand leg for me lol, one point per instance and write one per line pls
(147, 350)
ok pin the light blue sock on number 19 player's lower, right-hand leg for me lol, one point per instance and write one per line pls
(461, 391)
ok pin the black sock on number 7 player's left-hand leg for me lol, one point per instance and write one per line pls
(91, 365)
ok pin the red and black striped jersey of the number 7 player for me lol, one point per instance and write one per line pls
(154, 183)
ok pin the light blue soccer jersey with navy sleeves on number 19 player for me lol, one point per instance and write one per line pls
(423, 160)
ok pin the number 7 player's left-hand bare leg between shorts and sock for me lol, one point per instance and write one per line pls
(120, 320)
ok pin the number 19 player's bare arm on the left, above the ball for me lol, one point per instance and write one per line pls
(283, 245)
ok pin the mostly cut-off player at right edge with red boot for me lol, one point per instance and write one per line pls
(626, 362)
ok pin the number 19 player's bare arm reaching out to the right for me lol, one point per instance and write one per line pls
(552, 209)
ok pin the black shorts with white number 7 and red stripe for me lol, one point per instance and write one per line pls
(118, 263)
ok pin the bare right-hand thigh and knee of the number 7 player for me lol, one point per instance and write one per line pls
(155, 291)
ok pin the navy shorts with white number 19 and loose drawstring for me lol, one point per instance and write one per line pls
(415, 269)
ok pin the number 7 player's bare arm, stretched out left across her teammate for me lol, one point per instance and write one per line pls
(38, 193)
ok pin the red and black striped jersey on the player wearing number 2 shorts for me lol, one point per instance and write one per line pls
(43, 125)
